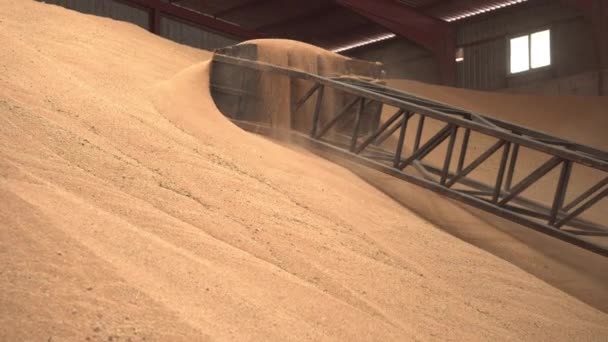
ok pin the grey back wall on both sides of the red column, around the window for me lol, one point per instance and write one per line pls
(576, 68)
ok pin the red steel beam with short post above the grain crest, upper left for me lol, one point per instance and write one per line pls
(158, 8)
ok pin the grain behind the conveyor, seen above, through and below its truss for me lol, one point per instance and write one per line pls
(580, 119)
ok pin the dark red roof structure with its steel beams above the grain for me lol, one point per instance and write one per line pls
(339, 25)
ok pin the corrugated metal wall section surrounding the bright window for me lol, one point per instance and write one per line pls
(485, 41)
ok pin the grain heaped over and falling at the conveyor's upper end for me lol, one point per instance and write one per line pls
(276, 95)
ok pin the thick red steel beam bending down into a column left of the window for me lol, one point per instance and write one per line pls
(431, 33)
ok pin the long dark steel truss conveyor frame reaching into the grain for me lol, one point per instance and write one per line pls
(502, 197)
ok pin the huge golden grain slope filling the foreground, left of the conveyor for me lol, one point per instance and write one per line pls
(131, 209)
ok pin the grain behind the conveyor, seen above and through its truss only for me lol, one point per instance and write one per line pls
(577, 118)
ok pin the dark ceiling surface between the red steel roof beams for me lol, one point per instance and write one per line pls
(326, 23)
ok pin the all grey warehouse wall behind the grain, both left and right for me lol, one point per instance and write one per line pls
(577, 68)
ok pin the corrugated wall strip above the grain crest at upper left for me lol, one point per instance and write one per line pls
(177, 31)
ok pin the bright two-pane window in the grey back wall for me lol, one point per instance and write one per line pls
(531, 51)
